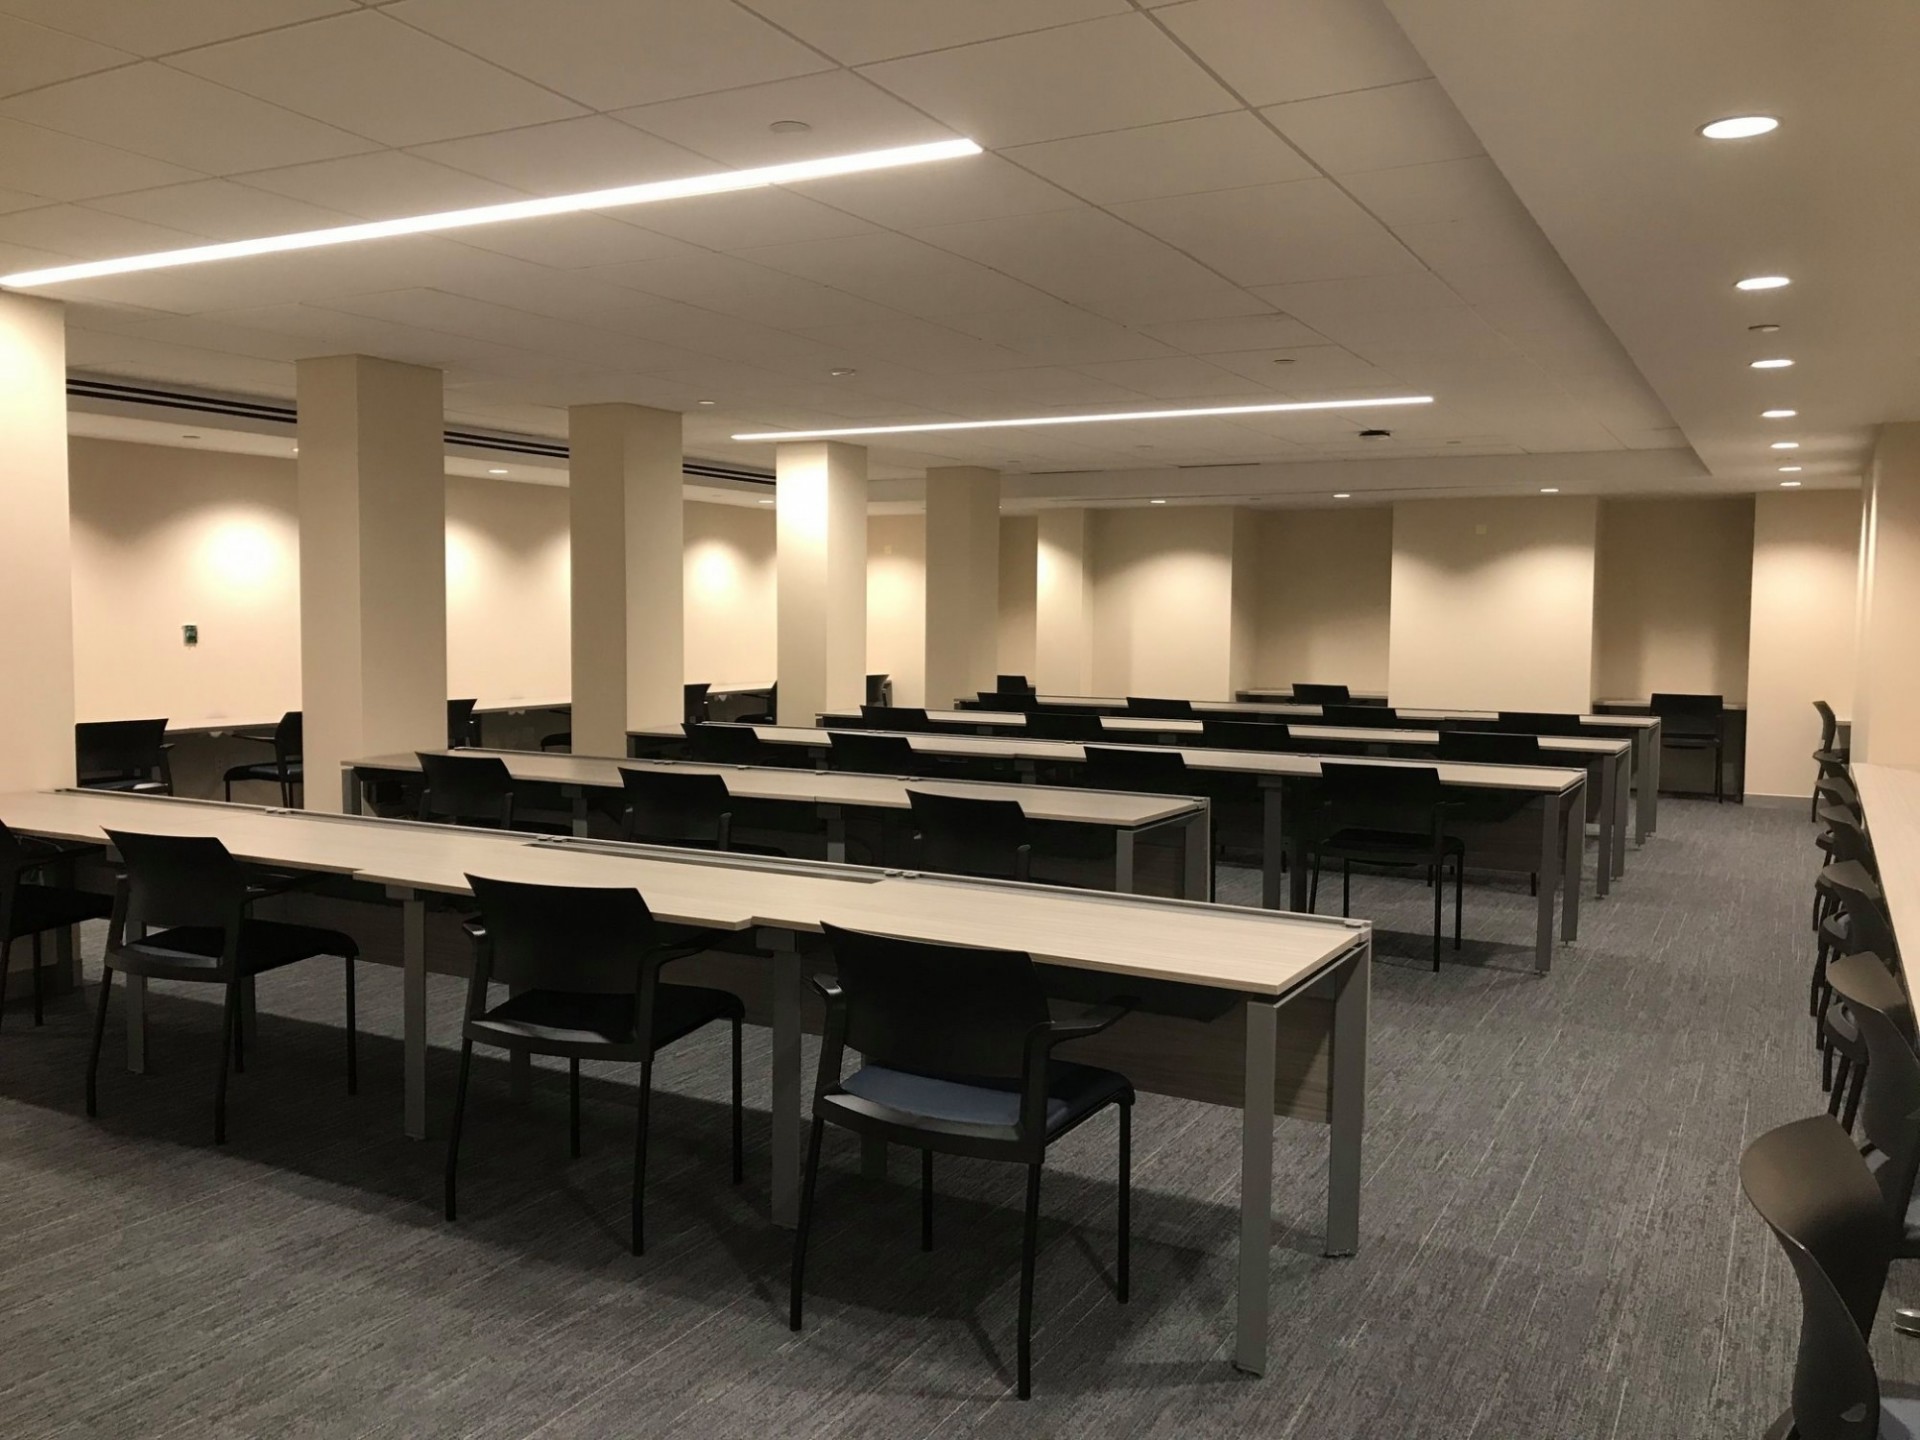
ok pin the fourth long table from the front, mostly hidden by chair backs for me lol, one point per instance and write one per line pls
(1608, 759)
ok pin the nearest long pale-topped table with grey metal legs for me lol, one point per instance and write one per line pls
(1291, 990)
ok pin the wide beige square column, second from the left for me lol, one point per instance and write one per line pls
(373, 564)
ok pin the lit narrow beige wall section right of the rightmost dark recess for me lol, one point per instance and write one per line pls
(1806, 564)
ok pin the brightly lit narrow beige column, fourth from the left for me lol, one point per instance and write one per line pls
(821, 508)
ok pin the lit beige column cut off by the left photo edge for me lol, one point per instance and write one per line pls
(36, 548)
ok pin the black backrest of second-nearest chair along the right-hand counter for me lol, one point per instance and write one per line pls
(1890, 1105)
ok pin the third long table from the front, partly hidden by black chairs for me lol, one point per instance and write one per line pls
(1558, 794)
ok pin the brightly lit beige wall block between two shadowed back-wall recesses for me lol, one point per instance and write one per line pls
(1495, 604)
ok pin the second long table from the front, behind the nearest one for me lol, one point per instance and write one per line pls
(828, 796)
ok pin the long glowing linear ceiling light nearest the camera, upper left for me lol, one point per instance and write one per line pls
(517, 210)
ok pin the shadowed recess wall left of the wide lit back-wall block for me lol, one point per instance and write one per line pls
(1322, 596)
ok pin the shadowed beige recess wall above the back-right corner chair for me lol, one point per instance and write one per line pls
(1673, 596)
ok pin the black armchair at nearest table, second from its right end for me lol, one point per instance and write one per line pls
(585, 969)
